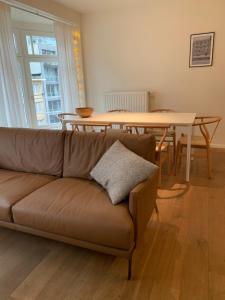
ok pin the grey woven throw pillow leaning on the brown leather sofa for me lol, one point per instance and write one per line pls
(119, 170)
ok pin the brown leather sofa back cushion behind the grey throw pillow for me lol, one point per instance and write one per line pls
(83, 150)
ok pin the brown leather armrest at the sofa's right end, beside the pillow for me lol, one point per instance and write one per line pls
(142, 201)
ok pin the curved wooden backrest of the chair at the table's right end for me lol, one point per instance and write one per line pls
(203, 122)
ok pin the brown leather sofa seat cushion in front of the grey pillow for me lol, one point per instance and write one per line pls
(78, 209)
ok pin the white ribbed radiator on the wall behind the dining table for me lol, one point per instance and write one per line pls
(136, 101)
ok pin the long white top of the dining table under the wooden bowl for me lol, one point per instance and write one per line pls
(172, 118)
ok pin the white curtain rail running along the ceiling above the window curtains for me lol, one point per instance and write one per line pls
(37, 12)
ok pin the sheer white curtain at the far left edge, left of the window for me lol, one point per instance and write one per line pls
(11, 99)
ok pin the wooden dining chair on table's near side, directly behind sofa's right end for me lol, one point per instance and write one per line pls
(162, 147)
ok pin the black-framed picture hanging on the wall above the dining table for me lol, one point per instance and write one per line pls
(201, 49)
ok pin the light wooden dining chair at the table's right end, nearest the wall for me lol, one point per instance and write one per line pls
(207, 126)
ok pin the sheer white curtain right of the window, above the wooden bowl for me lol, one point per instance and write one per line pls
(67, 67)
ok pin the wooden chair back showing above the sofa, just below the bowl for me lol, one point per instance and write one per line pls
(89, 126)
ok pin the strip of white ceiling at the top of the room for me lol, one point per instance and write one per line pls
(86, 6)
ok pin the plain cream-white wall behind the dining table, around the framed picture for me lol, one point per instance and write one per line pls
(148, 47)
